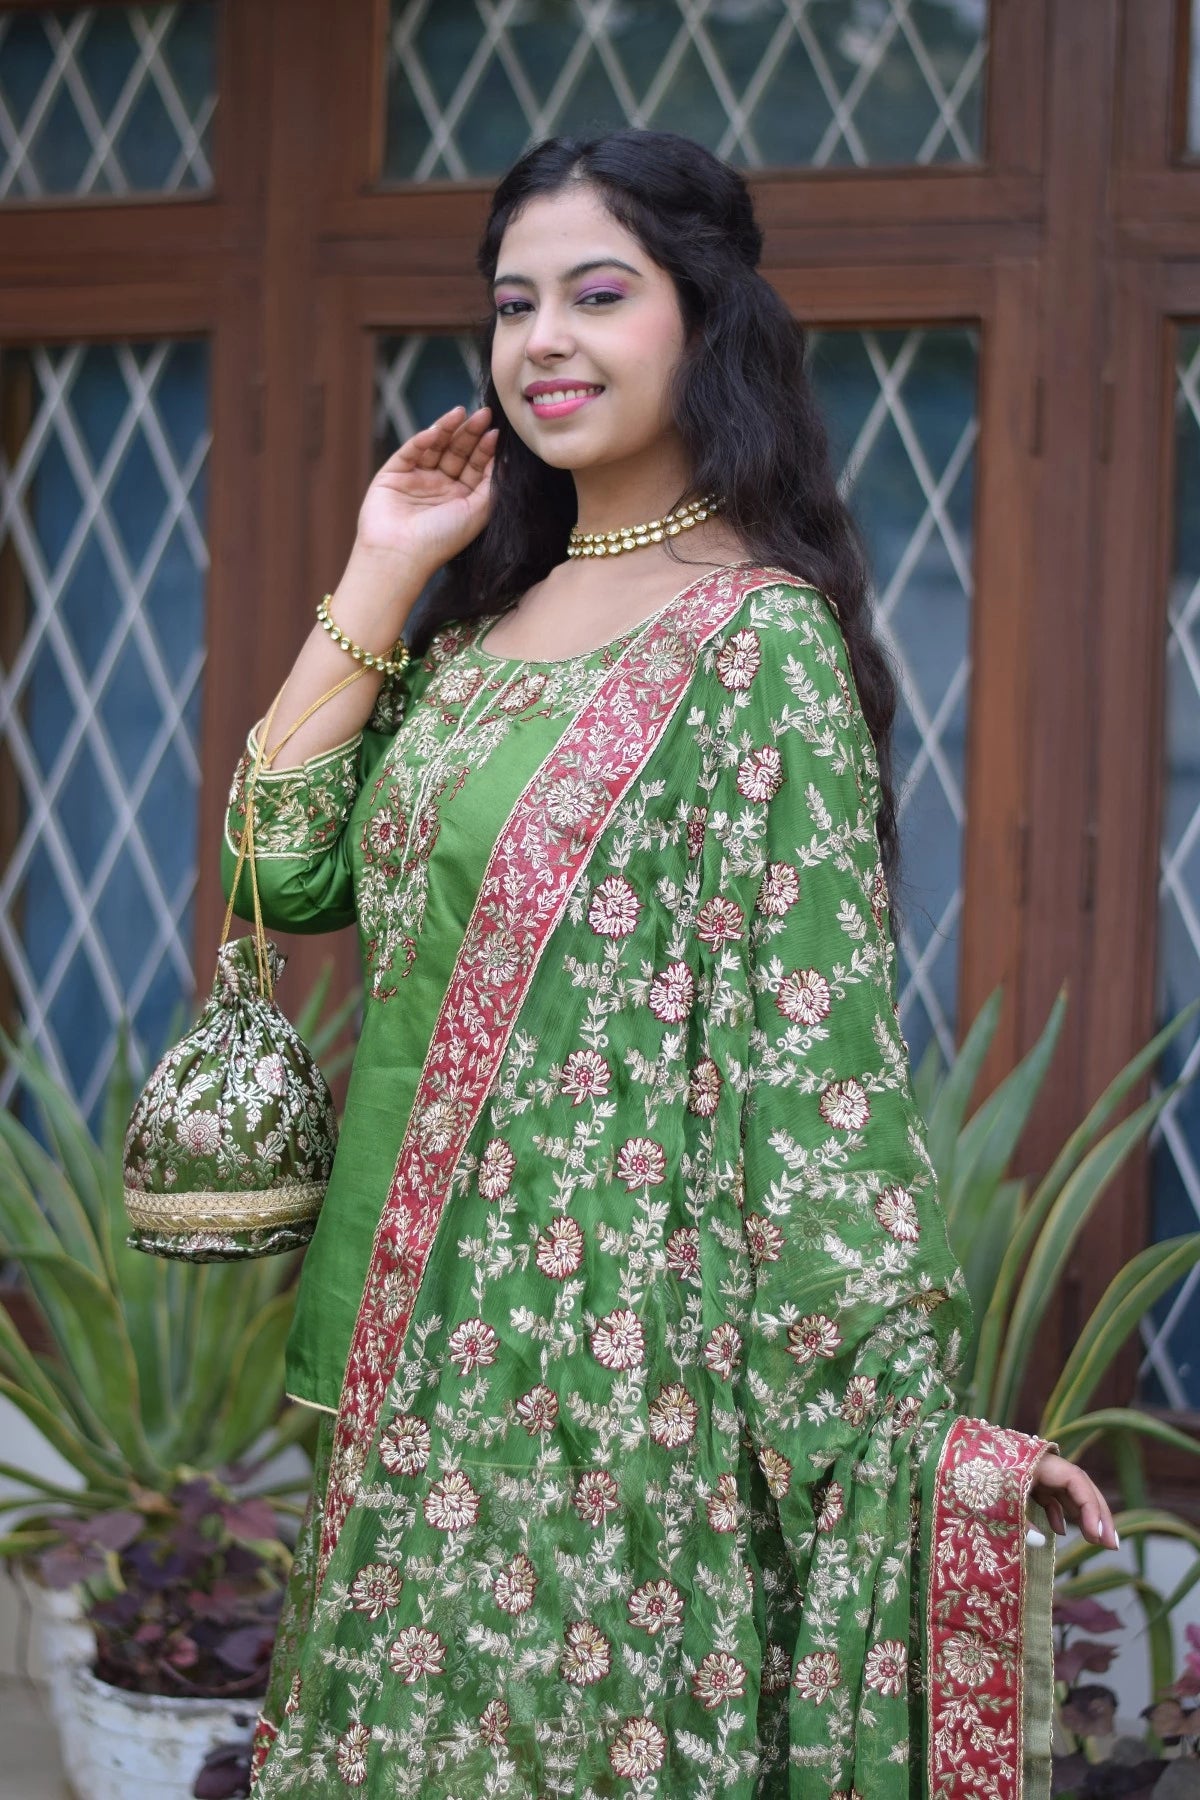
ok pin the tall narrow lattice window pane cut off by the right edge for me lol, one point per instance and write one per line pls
(1170, 1372)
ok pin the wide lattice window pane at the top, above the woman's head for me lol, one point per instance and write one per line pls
(764, 84)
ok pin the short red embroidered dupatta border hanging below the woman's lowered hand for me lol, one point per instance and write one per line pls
(976, 1612)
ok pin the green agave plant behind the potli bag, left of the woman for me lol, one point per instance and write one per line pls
(156, 1371)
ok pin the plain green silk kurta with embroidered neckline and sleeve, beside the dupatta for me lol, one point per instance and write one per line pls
(440, 768)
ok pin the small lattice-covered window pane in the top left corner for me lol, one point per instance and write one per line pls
(107, 100)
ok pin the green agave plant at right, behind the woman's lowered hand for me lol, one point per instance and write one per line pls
(1014, 1246)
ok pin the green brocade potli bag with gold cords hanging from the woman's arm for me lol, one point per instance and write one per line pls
(231, 1142)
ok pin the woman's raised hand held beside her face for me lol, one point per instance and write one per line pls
(433, 496)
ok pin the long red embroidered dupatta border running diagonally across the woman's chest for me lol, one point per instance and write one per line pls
(533, 868)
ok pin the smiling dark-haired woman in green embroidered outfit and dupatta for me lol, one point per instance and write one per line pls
(631, 1306)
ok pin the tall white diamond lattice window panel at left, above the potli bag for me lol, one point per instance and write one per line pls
(102, 512)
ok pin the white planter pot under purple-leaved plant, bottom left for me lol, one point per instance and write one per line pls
(139, 1747)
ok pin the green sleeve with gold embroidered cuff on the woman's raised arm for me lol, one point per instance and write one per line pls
(301, 814)
